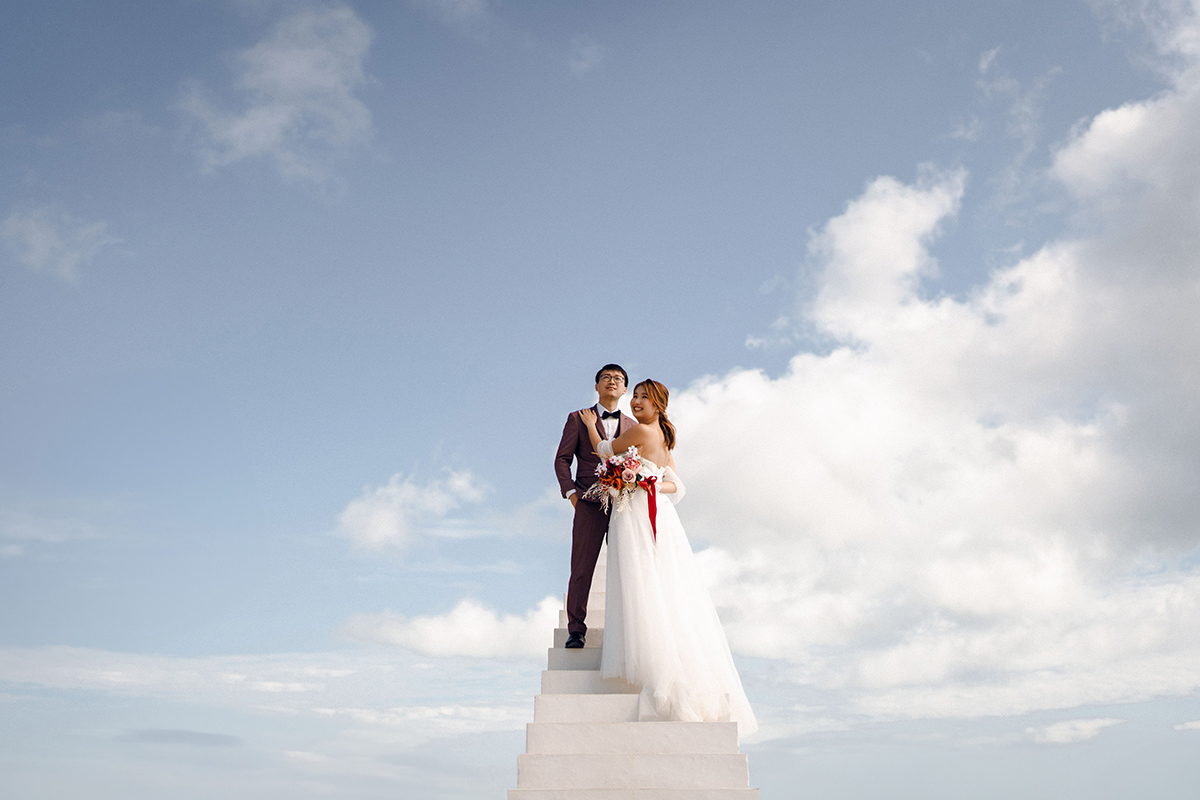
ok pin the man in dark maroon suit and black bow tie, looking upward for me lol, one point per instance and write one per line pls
(591, 521)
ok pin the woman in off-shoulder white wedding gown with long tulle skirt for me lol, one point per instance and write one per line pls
(662, 631)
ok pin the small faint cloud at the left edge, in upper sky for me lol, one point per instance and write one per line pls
(55, 243)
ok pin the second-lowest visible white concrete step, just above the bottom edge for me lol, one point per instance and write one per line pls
(634, 772)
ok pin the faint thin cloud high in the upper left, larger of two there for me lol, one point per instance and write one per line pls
(299, 104)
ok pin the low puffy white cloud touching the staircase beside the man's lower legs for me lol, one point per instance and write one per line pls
(470, 629)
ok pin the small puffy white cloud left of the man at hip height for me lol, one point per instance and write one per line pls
(392, 515)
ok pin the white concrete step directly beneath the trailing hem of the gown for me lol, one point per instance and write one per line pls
(560, 738)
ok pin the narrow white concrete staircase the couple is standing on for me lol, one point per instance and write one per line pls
(587, 744)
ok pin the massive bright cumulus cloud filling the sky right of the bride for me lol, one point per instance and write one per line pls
(982, 504)
